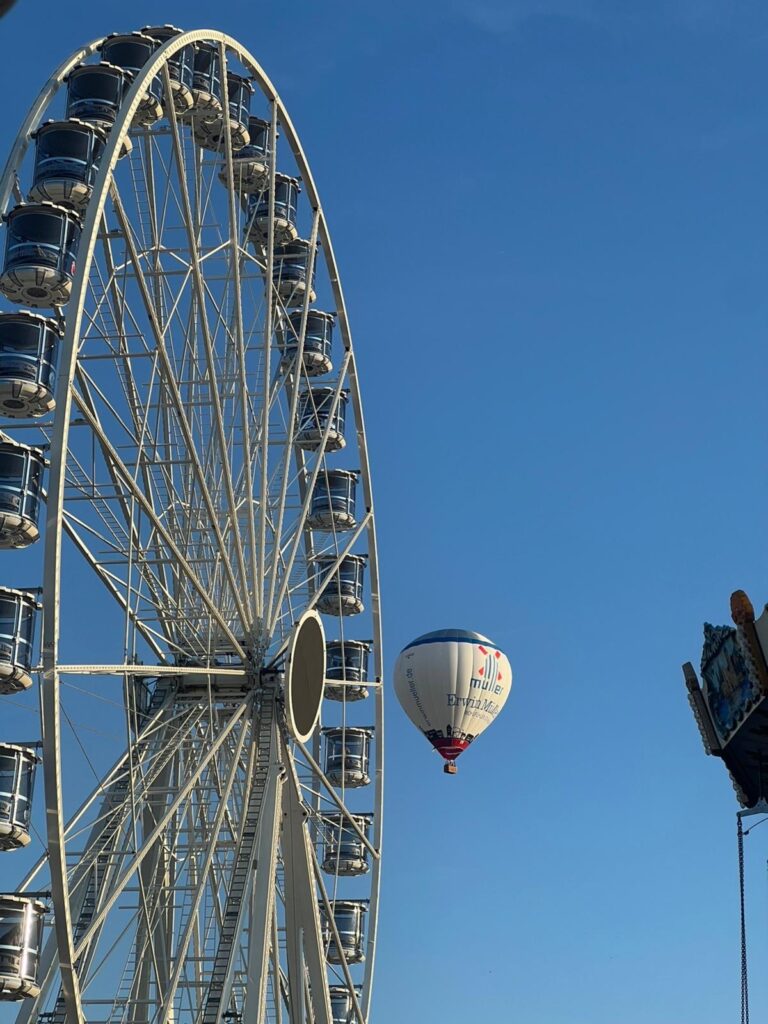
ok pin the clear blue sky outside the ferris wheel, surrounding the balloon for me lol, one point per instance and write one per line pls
(550, 219)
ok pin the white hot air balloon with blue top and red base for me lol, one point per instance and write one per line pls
(452, 685)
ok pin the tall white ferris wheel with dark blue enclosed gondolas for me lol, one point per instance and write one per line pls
(183, 448)
